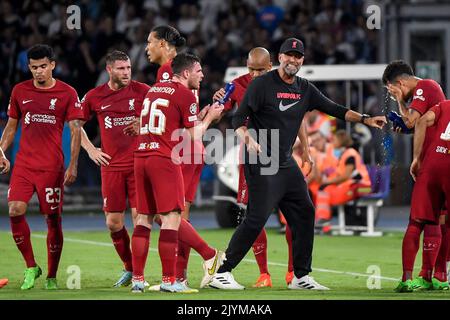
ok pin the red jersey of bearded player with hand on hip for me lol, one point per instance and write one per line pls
(115, 109)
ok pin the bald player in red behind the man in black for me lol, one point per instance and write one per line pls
(258, 63)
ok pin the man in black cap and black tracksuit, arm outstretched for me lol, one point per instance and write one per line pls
(279, 100)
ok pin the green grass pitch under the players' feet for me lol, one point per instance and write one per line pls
(339, 262)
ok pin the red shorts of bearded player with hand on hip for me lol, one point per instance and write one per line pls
(116, 187)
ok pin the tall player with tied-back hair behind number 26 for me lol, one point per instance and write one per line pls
(163, 42)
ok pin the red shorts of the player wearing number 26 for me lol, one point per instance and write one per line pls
(159, 185)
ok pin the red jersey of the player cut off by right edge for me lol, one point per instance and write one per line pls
(438, 153)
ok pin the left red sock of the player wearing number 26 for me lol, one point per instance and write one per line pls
(139, 247)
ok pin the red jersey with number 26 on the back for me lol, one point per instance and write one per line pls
(167, 107)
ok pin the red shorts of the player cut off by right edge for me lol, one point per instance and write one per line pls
(430, 193)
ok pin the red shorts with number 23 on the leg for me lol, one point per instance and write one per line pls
(47, 184)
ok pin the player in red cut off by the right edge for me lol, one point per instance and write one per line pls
(430, 171)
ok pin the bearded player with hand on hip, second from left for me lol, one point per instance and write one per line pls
(114, 104)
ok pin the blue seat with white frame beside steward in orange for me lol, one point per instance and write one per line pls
(381, 179)
